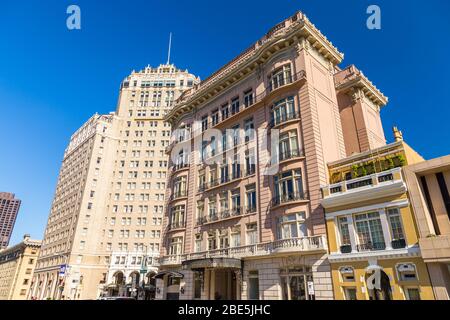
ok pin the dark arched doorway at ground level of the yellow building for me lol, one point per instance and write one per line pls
(378, 284)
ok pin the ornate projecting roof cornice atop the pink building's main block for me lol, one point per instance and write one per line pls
(282, 36)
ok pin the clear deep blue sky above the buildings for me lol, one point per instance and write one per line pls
(53, 79)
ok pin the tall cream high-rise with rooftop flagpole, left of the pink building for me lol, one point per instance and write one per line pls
(104, 227)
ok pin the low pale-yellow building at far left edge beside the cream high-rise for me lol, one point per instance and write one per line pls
(17, 264)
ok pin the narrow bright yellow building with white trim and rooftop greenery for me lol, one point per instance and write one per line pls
(372, 233)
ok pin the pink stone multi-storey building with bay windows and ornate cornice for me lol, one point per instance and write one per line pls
(249, 155)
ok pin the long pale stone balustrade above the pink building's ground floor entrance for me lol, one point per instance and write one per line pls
(305, 244)
